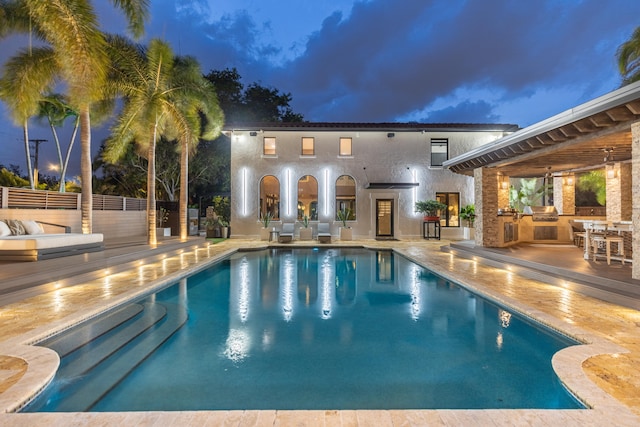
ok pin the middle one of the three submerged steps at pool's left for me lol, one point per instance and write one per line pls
(113, 341)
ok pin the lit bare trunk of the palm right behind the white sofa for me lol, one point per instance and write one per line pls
(86, 172)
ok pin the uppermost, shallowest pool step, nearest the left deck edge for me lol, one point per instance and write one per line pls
(70, 341)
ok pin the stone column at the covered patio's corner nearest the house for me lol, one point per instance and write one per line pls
(488, 198)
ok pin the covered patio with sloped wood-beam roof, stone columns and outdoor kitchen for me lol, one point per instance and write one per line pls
(601, 134)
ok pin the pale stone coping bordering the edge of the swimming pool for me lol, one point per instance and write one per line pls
(42, 364)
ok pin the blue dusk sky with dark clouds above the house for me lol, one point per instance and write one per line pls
(453, 61)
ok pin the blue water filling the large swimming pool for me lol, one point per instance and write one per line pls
(310, 329)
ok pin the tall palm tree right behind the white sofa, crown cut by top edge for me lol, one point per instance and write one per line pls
(70, 28)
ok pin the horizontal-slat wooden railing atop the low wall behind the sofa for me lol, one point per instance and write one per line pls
(20, 198)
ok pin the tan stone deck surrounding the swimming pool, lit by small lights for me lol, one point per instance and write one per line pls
(605, 373)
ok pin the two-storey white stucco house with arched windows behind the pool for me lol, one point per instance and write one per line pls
(374, 171)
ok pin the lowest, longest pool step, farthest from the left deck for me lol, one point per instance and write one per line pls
(98, 382)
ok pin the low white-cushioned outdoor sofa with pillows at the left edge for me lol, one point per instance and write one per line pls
(28, 241)
